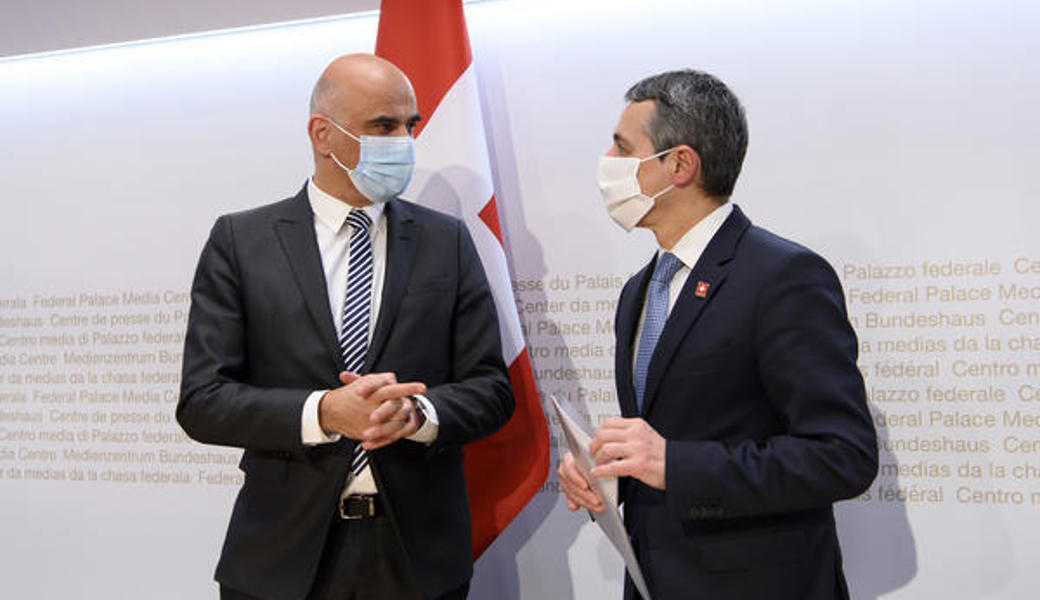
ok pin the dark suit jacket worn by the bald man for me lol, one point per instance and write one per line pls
(262, 338)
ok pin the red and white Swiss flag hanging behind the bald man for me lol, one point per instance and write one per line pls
(428, 40)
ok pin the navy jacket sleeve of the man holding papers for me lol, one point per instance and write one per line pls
(805, 352)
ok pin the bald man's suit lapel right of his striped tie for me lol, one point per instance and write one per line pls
(402, 240)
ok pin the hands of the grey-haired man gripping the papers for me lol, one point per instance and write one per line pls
(621, 448)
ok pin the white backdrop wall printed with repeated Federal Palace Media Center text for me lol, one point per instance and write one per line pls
(896, 139)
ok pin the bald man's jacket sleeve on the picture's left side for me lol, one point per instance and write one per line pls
(217, 406)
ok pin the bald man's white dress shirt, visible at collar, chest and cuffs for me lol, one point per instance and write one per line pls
(334, 240)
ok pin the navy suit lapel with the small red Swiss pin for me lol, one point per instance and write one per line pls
(712, 270)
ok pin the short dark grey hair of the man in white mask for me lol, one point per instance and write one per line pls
(695, 109)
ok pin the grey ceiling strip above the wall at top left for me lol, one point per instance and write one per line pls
(29, 27)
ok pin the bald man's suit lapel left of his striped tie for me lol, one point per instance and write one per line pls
(296, 232)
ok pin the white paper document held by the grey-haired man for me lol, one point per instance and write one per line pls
(610, 520)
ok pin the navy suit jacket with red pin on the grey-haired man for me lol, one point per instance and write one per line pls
(757, 389)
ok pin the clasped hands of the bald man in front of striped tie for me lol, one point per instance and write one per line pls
(374, 409)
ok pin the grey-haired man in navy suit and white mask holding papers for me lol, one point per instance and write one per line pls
(744, 415)
